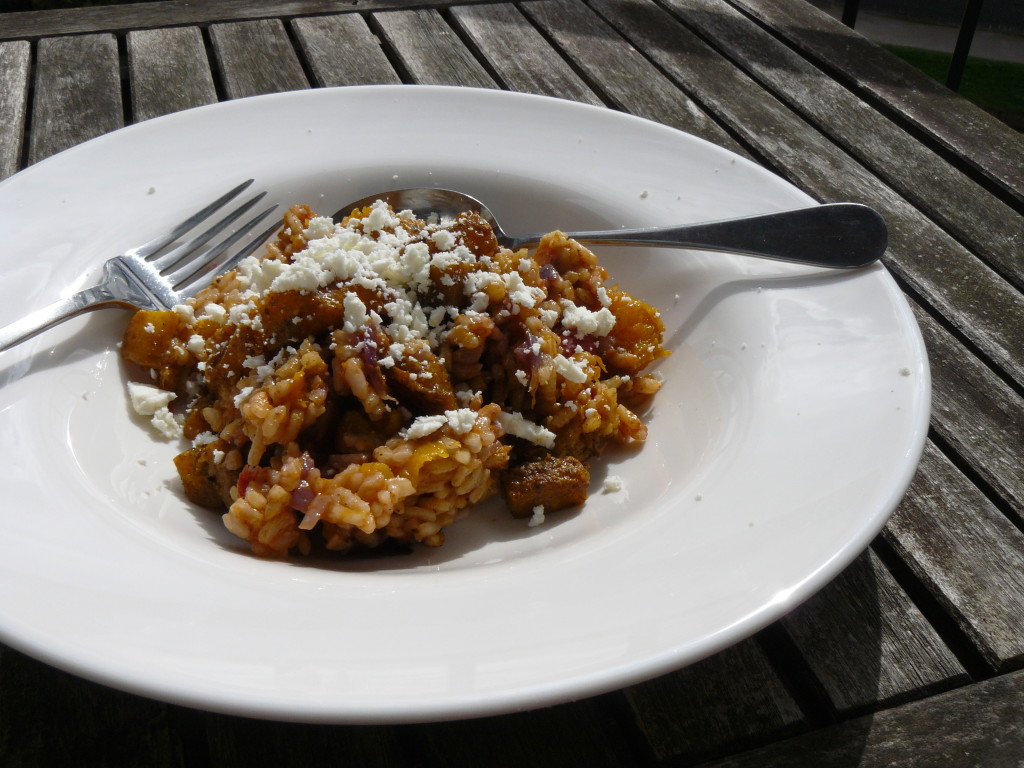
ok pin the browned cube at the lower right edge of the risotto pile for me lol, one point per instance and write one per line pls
(553, 483)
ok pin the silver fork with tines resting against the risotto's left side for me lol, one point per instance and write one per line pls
(149, 277)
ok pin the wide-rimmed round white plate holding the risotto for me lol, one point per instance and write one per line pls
(793, 416)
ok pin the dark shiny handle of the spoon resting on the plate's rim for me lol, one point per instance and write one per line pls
(841, 236)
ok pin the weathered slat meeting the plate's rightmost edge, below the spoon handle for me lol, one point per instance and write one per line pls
(977, 414)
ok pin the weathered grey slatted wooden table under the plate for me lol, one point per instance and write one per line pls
(914, 656)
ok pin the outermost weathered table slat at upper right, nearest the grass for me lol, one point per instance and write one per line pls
(971, 135)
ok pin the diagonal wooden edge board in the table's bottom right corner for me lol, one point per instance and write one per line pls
(977, 726)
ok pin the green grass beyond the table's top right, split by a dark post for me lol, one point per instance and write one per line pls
(997, 88)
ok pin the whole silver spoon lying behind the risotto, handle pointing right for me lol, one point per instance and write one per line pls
(841, 236)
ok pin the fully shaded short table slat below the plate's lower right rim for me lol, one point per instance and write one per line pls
(730, 702)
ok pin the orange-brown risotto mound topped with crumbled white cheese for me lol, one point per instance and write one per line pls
(371, 381)
